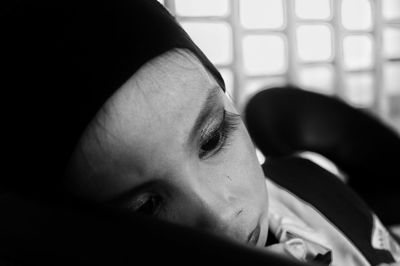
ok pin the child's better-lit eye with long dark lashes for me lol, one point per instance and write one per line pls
(229, 124)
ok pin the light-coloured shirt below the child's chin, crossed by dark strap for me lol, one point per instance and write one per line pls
(308, 232)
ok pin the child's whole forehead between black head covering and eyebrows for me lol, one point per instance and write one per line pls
(146, 122)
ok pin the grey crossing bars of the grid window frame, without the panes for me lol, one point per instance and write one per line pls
(380, 103)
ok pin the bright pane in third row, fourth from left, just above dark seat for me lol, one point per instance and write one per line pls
(359, 90)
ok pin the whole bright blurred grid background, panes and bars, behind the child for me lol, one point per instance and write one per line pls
(346, 48)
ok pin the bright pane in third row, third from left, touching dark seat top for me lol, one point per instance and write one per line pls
(318, 78)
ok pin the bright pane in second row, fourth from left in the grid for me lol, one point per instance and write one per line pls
(357, 52)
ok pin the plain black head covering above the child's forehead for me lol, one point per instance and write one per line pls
(62, 61)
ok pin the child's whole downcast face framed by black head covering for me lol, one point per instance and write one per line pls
(169, 143)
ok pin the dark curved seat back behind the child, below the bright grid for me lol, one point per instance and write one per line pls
(286, 120)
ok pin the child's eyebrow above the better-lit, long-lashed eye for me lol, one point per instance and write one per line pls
(209, 105)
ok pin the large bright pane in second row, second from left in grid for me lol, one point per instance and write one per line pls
(264, 55)
